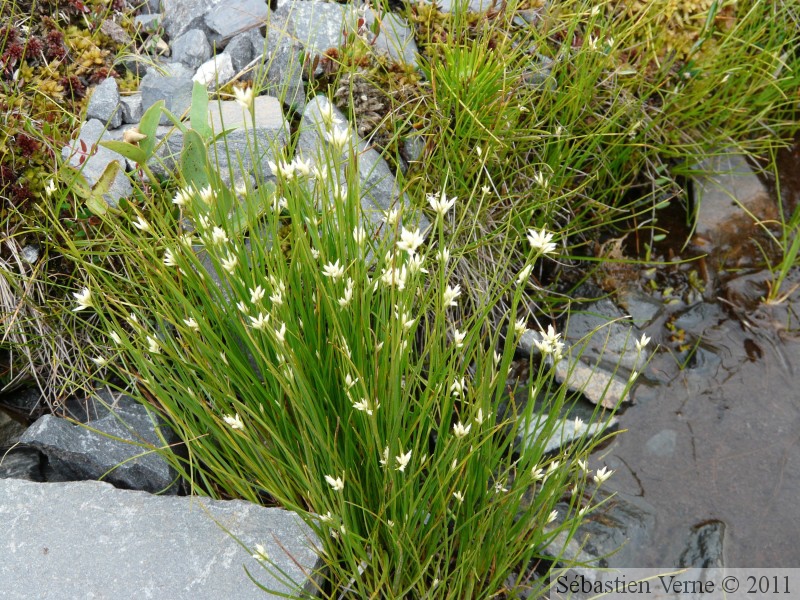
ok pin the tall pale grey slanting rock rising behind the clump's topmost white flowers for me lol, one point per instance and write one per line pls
(379, 188)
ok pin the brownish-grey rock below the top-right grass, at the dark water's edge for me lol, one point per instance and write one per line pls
(724, 189)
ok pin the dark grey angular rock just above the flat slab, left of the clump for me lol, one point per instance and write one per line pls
(77, 453)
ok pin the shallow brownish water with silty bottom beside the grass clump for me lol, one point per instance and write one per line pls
(720, 439)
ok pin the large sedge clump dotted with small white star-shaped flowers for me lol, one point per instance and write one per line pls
(318, 359)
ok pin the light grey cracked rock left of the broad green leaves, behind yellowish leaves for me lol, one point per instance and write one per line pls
(93, 162)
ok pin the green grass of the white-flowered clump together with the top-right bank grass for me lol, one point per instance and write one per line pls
(359, 378)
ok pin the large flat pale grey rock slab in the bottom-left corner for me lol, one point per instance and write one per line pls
(91, 540)
